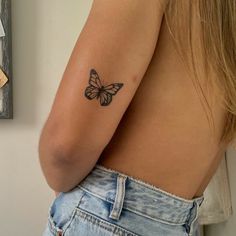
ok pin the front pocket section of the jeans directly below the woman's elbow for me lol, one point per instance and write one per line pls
(62, 210)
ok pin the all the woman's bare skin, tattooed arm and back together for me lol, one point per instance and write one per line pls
(158, 133)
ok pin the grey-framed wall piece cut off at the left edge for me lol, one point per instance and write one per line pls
(6, 105)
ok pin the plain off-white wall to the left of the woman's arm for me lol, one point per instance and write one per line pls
(44, 33)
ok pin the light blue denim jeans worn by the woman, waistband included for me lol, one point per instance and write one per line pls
(107, 202)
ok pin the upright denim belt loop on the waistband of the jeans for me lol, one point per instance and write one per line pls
(119, 198)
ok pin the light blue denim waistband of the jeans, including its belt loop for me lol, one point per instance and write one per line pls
(124, 191)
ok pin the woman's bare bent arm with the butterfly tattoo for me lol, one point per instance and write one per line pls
(115, 47)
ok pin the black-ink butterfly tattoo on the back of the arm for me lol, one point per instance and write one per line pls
(99, 91)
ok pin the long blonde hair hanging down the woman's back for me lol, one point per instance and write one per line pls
(212, 44)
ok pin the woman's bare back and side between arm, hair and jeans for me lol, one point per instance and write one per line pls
(164, 138)
